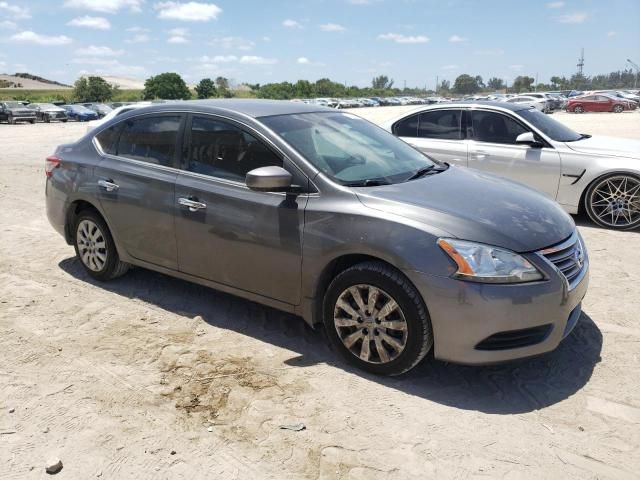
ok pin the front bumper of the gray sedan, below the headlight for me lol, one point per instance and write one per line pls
(475, 323)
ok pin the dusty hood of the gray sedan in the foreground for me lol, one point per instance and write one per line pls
(475, 206)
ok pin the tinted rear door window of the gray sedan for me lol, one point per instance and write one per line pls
(150, 139)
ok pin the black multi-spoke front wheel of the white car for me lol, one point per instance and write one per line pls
(613, 201)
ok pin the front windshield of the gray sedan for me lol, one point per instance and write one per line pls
(348, 149)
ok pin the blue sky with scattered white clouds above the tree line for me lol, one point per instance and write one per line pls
(346, 40)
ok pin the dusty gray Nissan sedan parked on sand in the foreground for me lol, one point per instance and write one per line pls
(322, 214)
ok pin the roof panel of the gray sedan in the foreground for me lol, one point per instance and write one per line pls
(250, 107)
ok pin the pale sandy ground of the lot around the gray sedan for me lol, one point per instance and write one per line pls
(153, 377)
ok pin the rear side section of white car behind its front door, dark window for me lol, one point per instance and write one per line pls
(437, 133)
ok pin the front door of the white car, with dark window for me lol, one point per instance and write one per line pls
(492, 148)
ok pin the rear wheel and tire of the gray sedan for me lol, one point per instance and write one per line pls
(95, 247)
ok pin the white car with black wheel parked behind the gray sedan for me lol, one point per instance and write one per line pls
(598, 175)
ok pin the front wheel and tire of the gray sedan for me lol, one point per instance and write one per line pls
(376, 319)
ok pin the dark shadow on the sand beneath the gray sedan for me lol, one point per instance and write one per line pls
(515, 387)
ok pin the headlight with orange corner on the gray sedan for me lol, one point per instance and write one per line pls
(484, 263)
